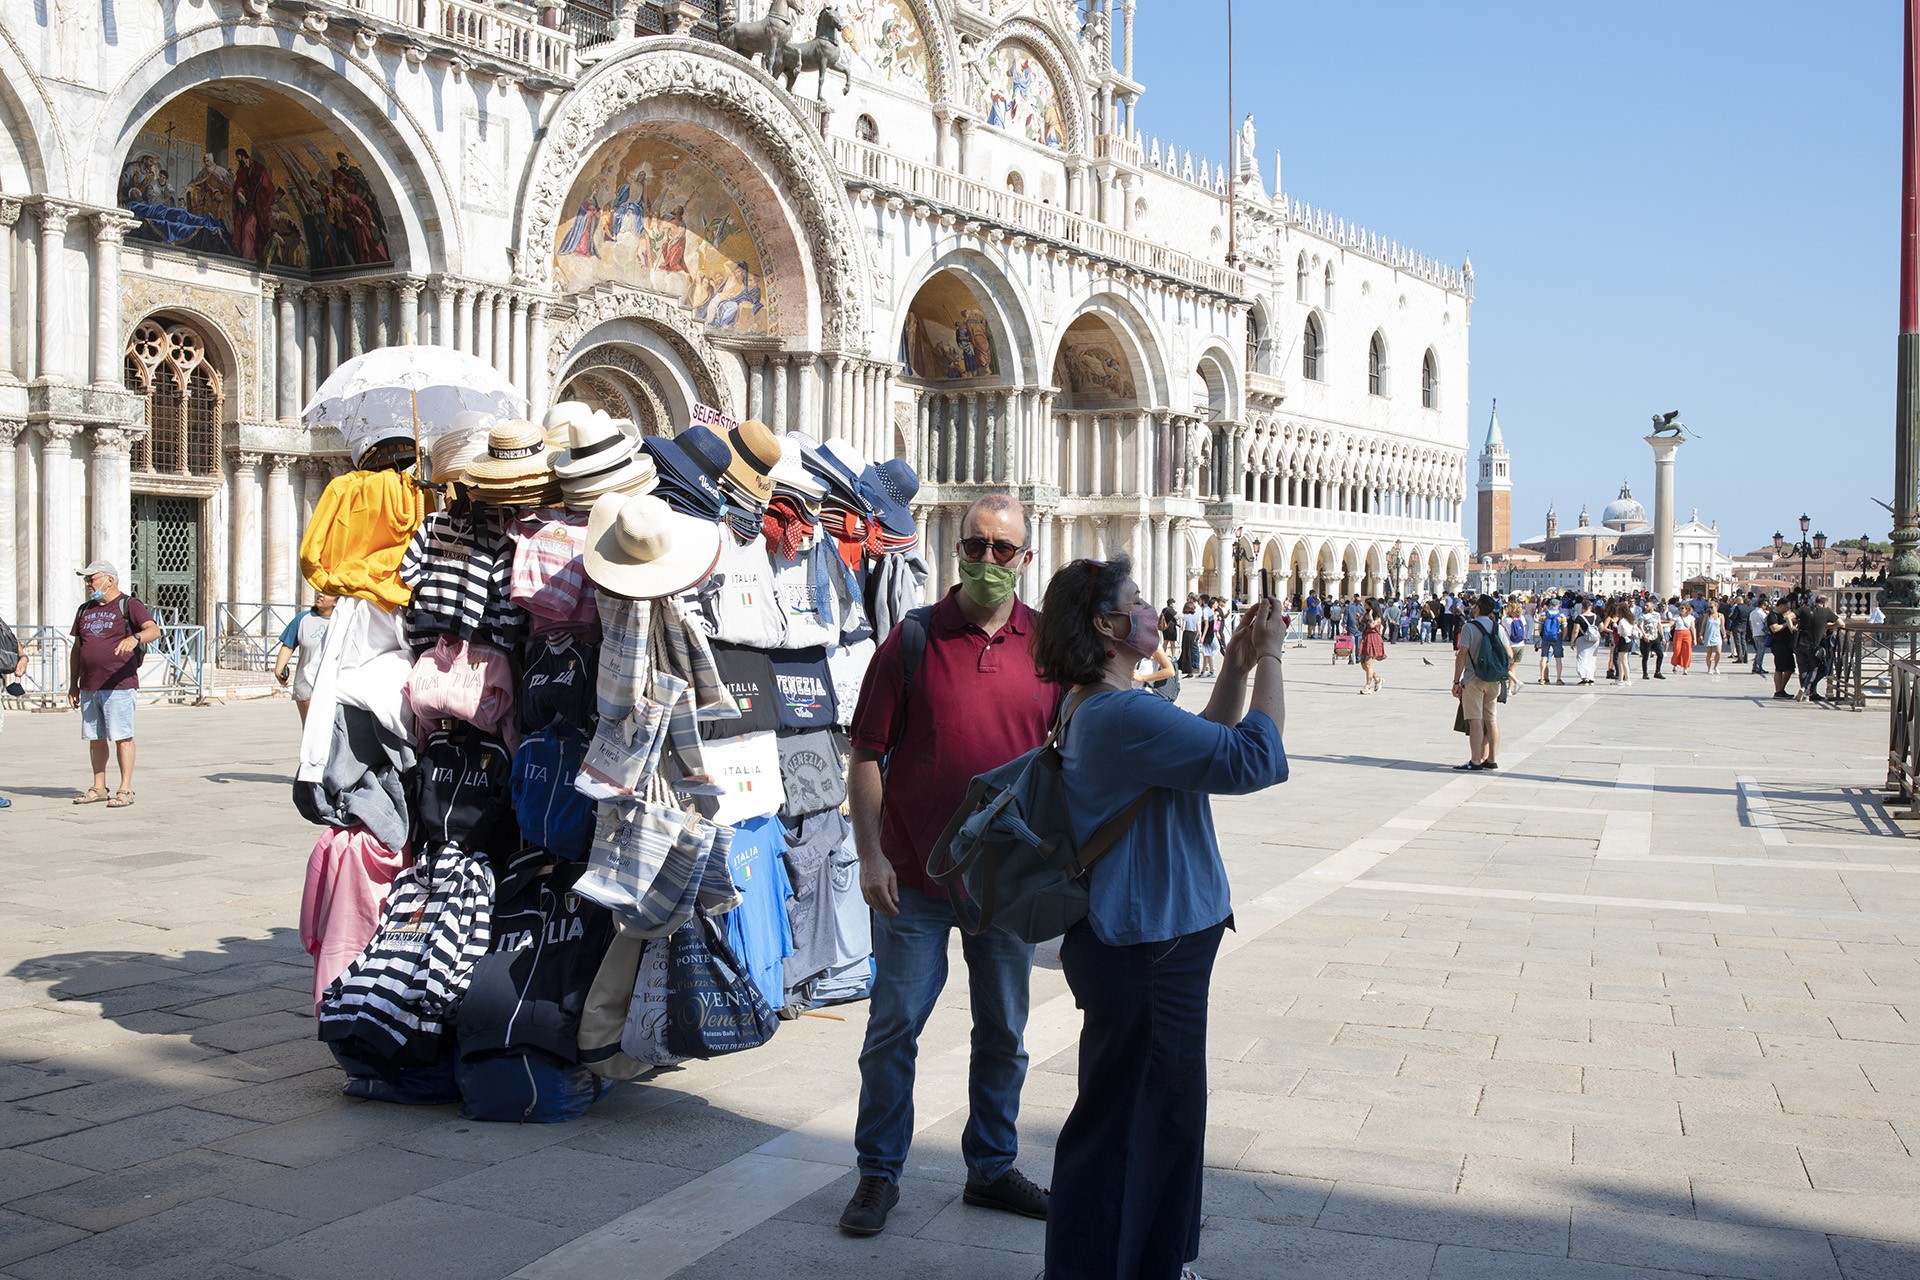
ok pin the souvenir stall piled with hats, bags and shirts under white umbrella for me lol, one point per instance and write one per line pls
(579, 736)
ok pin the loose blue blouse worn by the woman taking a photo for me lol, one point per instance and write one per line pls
(1164, 878)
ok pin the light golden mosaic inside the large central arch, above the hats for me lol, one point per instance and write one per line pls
(656, 218)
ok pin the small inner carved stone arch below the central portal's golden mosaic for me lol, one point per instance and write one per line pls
(686, 366)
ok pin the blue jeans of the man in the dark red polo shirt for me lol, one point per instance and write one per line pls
(909, 976)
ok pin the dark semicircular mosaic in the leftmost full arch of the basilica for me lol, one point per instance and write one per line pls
(239, 172)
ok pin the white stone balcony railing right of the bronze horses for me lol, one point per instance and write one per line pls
(953, 193)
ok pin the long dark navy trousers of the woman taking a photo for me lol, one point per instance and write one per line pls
(1128, 1168)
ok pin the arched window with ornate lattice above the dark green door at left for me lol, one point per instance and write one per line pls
(168, 366)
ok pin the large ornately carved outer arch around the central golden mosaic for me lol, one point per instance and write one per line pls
(694, 89)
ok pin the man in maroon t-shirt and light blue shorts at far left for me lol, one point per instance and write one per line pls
(110, 638)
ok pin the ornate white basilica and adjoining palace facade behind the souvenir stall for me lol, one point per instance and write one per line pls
(946, 239)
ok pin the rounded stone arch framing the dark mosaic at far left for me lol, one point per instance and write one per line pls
(352, 97)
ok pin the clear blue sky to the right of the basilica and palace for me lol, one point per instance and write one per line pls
(1669, 206)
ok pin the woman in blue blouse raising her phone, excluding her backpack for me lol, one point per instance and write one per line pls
(1126, 1198)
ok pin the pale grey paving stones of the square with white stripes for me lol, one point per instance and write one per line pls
(1643, 1005)
